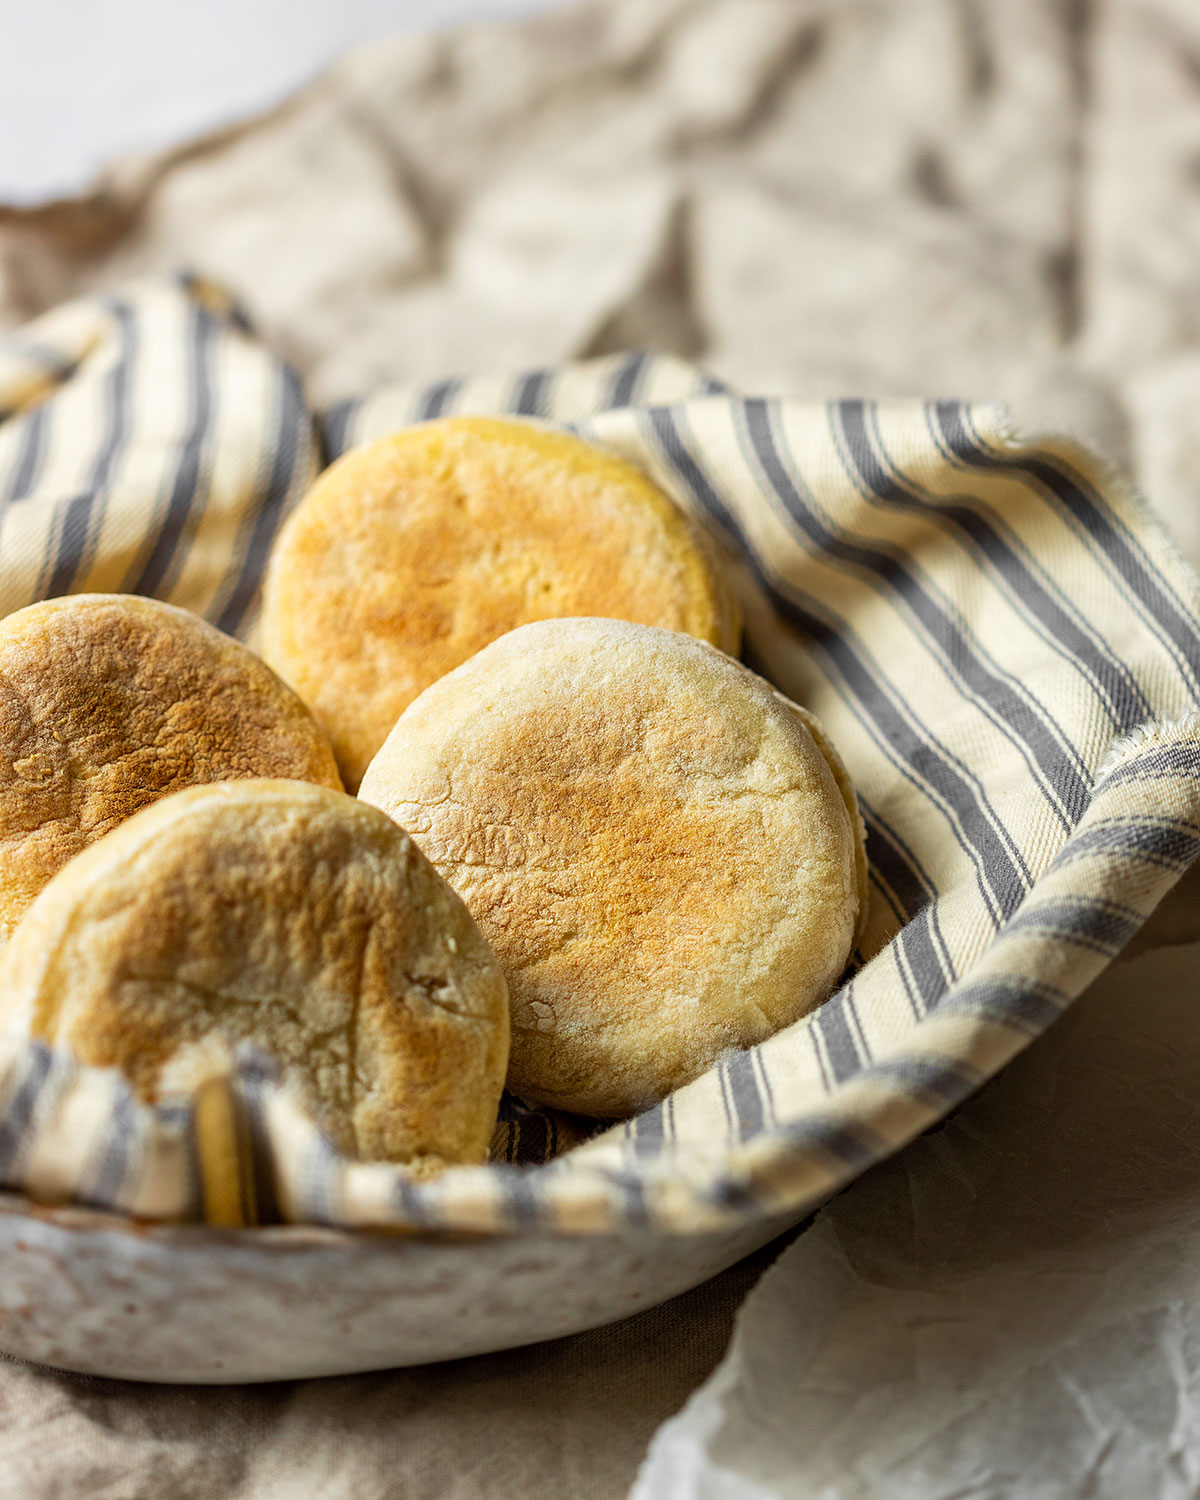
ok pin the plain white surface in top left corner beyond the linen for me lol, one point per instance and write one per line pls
(83, 82)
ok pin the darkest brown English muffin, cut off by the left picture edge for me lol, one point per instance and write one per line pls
(110, 703)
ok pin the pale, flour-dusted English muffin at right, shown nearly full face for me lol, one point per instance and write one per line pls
(664, 859)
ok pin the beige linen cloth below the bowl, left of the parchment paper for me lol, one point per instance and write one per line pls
(563, 1420)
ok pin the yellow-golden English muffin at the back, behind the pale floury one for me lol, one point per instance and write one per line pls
(412, 554)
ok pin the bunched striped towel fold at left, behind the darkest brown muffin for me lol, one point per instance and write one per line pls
(173, 448)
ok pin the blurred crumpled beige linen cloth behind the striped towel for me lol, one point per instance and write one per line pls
(853, 197)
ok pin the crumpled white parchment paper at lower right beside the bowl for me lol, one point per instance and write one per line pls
(1010, 1309)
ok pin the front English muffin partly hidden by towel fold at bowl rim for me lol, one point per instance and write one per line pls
(289, 916)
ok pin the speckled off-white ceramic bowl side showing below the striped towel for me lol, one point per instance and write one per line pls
(100, 1295)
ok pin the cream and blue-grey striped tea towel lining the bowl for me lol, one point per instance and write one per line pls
(1000, 638)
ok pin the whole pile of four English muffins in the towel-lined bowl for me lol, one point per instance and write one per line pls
(589, 853)
